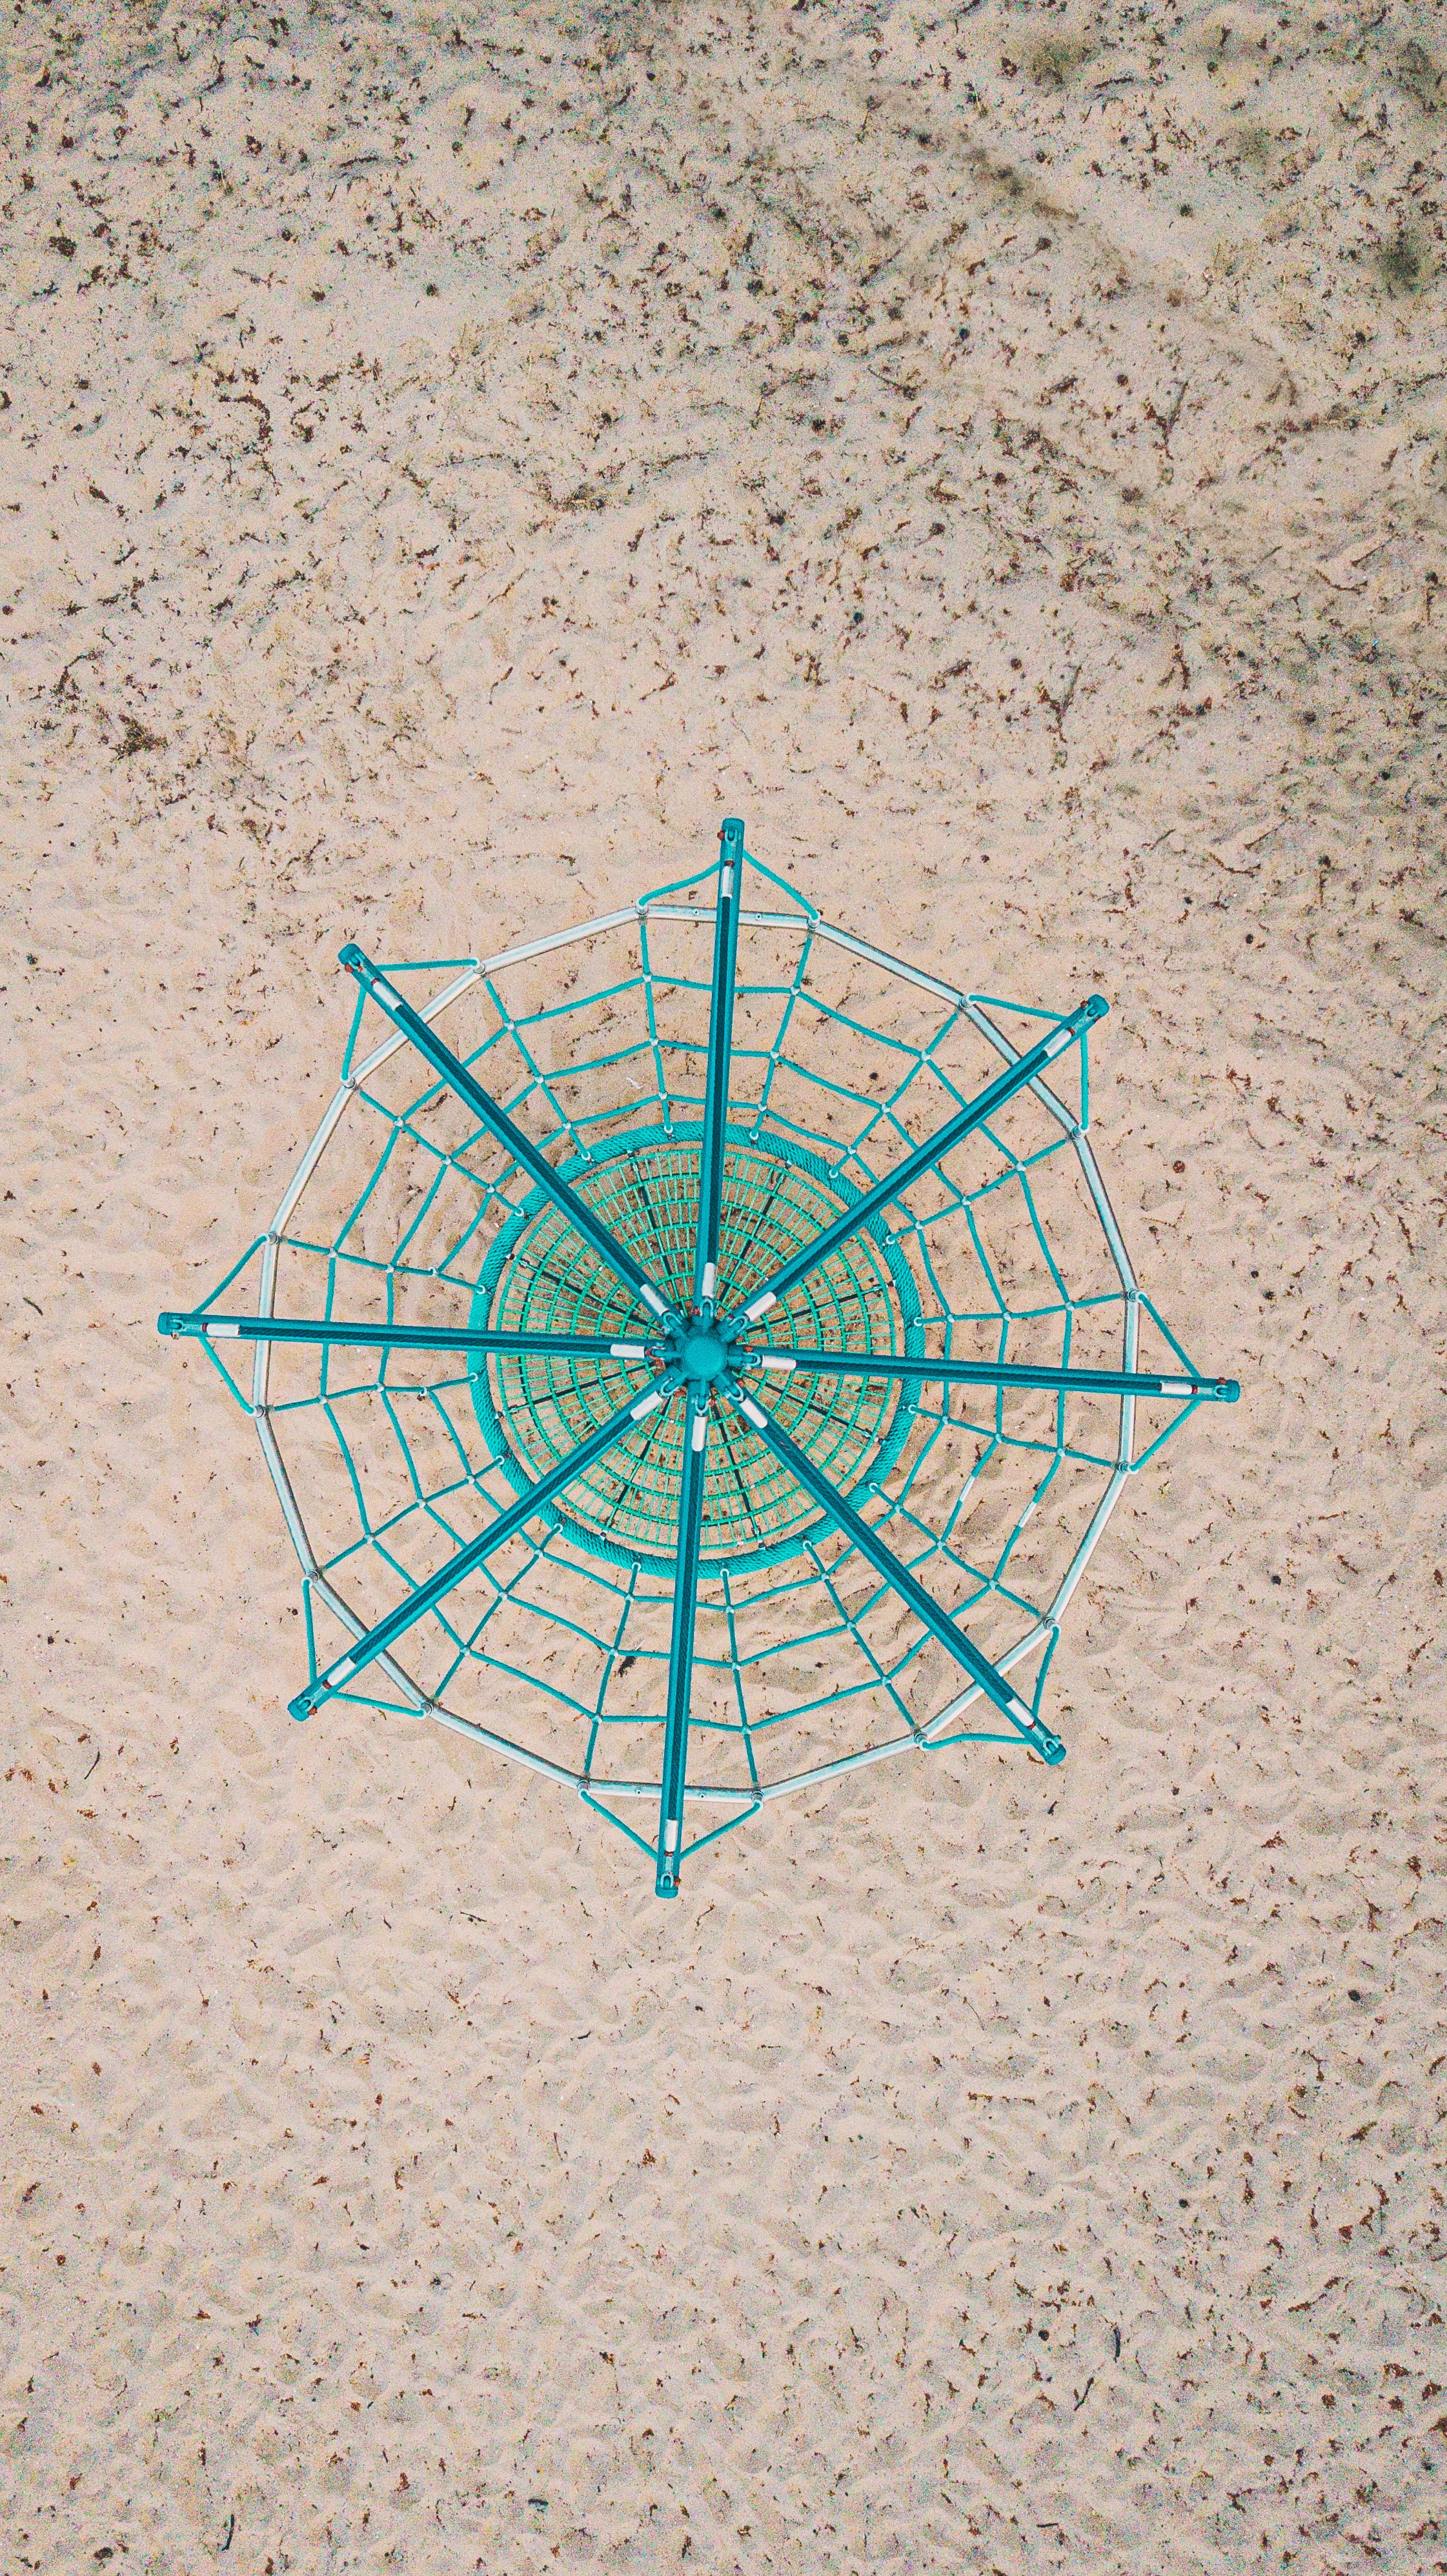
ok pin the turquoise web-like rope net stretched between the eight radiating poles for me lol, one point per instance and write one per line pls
(406, 1209)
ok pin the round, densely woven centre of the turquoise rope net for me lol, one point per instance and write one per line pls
(542, 1276)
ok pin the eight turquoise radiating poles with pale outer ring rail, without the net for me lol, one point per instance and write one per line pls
(266, 1331)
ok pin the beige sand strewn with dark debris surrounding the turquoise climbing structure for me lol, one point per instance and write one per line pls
(447, 452)
